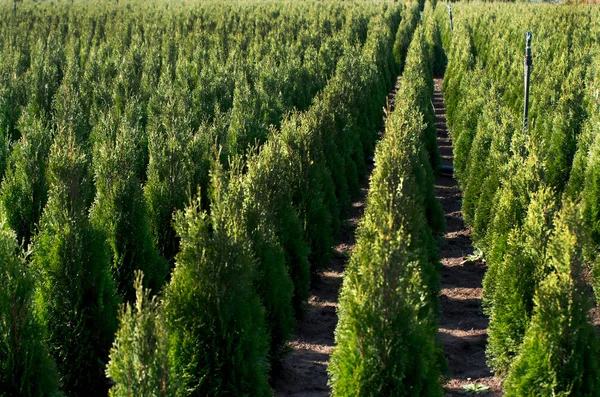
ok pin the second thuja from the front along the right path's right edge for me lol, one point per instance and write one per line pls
(518, 278)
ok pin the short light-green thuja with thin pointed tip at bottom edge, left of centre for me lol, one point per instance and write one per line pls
(139, 364)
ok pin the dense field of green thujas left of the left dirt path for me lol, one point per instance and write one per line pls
(191, 161)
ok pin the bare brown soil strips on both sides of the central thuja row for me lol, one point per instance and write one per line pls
(462, 327)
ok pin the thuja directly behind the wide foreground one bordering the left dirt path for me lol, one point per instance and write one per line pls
(254, 202)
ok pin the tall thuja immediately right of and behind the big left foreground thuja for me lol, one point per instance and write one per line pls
(119, 209)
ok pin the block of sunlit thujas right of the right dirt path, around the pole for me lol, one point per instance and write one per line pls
(531, 195)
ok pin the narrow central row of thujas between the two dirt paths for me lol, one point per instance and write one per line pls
(386, 338)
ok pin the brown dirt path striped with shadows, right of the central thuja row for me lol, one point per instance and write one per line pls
(463, 327)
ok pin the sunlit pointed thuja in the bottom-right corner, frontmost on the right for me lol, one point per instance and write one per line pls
(560, 349)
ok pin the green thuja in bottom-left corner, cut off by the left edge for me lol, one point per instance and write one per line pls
(26, 368)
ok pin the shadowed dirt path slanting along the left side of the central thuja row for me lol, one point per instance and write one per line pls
(303, 372)
